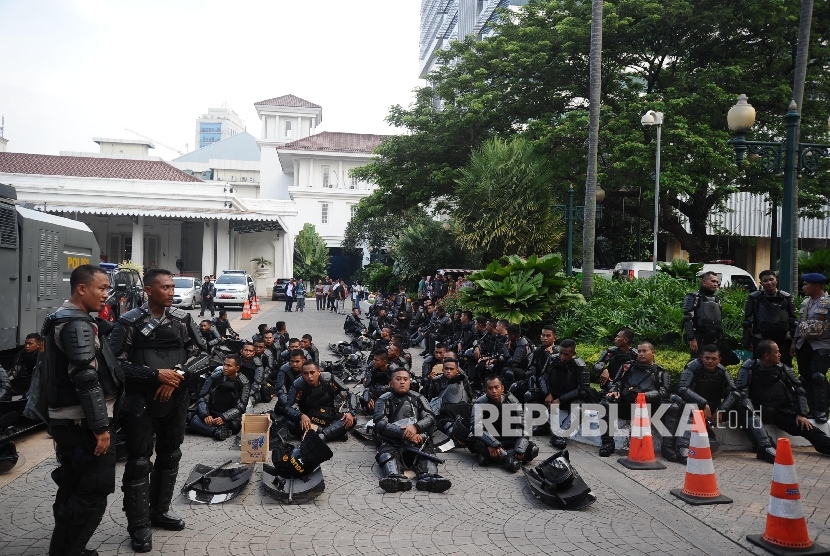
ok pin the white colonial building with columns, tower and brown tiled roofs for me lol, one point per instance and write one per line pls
(212, 209)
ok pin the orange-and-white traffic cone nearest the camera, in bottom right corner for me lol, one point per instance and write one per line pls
(786, 531)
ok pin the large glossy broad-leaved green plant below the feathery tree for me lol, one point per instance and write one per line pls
(521, 291)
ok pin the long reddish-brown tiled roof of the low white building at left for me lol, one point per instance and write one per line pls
(89, 167)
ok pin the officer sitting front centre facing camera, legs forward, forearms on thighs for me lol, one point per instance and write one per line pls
(404, 422)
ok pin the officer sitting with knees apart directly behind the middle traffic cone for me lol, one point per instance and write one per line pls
(706, 383)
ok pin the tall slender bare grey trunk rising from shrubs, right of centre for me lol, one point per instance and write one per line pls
(589, 230)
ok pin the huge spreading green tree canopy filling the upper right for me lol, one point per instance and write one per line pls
(687, 58)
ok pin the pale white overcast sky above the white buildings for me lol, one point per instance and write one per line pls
(71, 70)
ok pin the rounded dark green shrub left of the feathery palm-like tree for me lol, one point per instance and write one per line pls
(413, 260)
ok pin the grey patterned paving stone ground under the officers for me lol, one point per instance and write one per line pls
(487, 511)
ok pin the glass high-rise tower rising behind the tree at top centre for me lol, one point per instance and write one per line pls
(443, 21)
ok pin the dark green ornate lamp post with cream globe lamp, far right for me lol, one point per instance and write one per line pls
(798, 158)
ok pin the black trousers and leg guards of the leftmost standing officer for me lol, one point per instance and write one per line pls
(84, 482)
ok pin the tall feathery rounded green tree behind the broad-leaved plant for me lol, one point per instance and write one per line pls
(504, 200)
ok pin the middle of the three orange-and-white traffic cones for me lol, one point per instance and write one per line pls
(701, 485)
